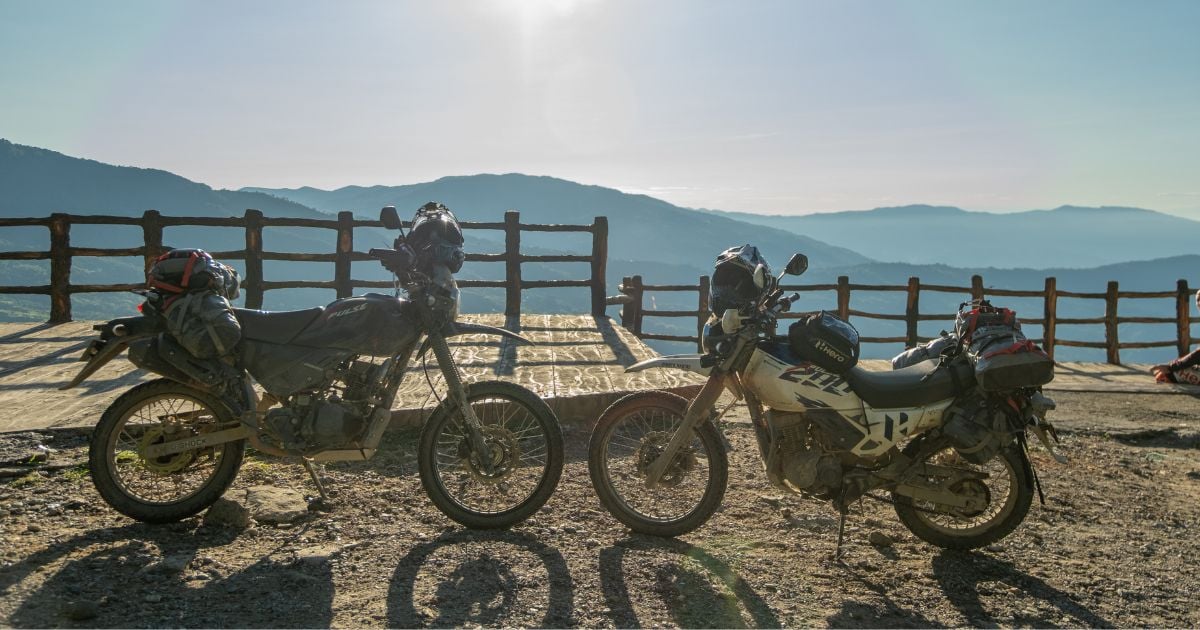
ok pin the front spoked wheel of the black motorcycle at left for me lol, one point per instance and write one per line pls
(525, 446)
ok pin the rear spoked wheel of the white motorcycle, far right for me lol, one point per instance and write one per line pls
(1009, 490)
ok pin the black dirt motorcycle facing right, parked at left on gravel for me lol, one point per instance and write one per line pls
(490, 454)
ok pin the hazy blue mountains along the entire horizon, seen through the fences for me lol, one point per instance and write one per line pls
(664, 243)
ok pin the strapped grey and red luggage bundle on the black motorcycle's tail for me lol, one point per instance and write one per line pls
(194, 291)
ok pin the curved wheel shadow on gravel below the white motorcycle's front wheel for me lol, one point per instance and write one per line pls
(687, 587)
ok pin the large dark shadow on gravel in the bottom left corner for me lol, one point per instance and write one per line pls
(125, 581)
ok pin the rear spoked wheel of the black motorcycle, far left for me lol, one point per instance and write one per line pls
(175, 487)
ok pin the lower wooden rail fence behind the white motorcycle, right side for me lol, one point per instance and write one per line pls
(633, 314)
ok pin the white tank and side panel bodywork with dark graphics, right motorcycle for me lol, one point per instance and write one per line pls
(785, 382)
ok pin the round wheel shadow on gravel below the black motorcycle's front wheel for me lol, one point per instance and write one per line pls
(481, 578)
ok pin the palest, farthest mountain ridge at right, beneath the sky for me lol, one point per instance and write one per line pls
(1067, 237)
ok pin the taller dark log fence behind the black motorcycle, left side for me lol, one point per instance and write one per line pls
(61, 255)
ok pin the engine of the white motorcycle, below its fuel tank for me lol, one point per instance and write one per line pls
(801, 458)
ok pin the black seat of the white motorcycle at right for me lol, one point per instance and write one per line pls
(909, 387)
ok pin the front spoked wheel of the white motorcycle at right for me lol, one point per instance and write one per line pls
(628, 439)
